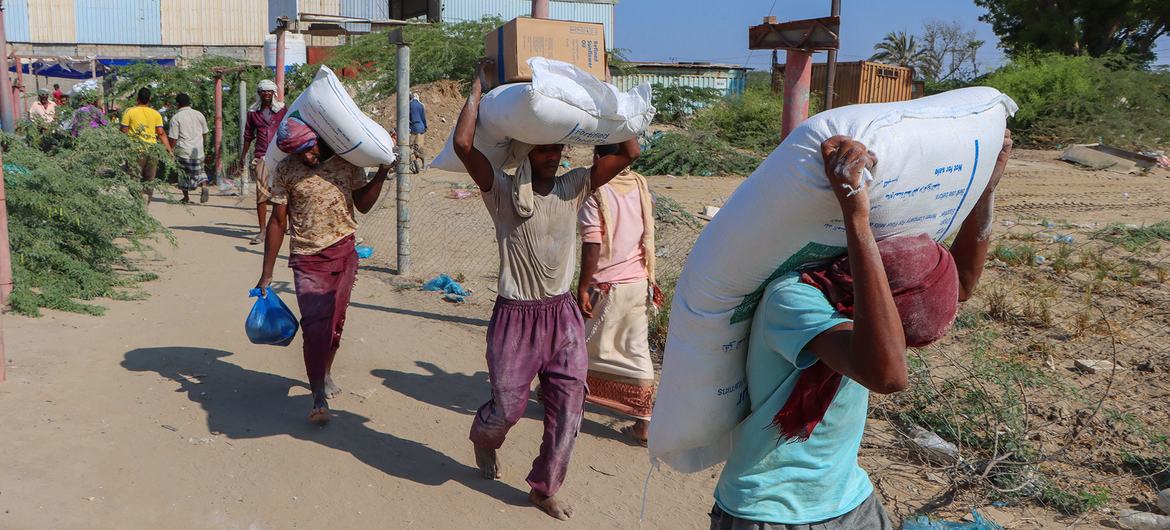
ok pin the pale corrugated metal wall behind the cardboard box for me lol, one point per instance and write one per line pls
(583, 12)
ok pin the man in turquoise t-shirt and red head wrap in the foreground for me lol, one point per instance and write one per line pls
(822, 340)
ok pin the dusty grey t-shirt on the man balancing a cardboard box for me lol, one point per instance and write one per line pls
(536, 254)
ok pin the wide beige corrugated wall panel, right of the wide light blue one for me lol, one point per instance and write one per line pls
(215, 23)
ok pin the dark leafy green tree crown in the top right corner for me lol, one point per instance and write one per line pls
(1079, 27)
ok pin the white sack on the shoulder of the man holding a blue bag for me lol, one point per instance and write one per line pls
(329, 111)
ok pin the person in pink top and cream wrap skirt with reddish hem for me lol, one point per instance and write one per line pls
(617, 292)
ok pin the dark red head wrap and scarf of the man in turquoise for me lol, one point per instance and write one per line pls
(925, 284)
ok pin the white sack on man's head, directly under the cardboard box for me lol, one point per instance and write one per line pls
(563, 105)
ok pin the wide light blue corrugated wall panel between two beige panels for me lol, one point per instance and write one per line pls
(120, 23)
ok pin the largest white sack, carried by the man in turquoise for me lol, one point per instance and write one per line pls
(935, 156)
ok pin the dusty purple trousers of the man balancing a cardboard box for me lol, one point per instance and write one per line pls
(528, 340)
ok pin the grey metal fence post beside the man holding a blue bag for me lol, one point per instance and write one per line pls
(403, 189)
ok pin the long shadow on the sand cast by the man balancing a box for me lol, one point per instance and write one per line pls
(245, 404)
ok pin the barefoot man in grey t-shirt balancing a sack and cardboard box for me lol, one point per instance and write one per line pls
(536, 329)
